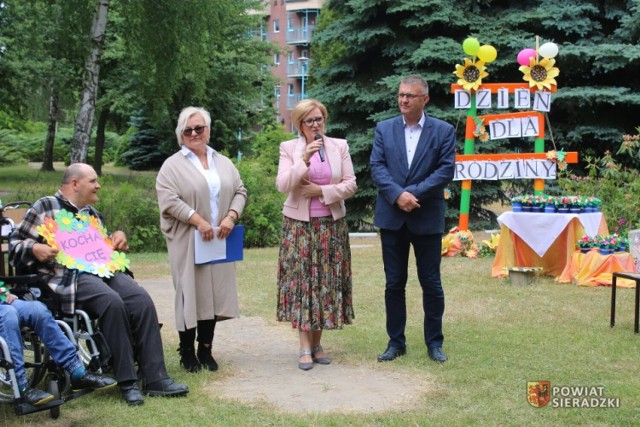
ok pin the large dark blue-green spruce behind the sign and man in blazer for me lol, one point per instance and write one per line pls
(363, 47)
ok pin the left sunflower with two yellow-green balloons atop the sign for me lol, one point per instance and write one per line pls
(470, 74)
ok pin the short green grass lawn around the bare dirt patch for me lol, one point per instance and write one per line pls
(498, 337)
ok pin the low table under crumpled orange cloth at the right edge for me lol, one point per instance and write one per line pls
(594, 269)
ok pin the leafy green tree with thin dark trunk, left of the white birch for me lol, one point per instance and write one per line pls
(42, 56)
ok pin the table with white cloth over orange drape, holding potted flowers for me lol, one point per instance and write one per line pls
(544, 240)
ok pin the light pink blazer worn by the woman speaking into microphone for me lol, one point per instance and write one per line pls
(292, 169)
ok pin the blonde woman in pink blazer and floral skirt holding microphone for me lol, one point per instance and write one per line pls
(314, 266)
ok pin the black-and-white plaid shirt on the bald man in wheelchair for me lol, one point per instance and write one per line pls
(61, 280)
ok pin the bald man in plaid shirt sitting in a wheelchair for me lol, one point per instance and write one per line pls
(126, 313)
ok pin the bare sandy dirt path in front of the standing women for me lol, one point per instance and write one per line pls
(264, 367)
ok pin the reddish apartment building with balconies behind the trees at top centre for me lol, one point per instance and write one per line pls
(289, 24)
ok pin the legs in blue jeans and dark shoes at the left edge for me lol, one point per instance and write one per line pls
(15, 314)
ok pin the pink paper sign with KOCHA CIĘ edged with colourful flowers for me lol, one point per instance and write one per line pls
(83, 244)
